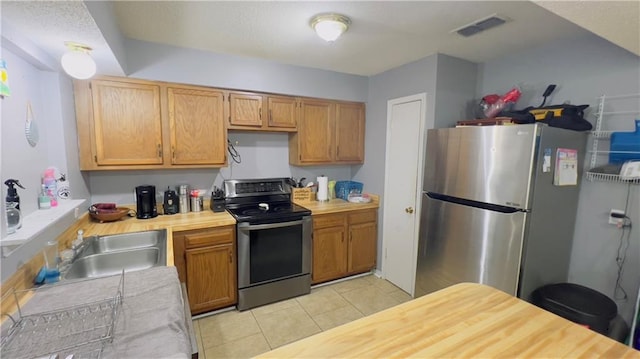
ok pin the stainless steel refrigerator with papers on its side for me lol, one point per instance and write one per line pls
(498, 207)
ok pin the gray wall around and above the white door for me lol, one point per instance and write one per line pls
(449, 84)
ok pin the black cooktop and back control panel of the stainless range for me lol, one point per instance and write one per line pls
(262, 201)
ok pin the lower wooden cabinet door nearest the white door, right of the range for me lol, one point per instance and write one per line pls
(362, 246)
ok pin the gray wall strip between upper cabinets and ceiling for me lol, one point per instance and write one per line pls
(175, 64)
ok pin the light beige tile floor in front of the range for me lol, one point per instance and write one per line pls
(245, 334)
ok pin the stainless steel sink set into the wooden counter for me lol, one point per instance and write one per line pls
(108, 255)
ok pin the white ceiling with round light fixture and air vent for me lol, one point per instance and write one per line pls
(383, 35)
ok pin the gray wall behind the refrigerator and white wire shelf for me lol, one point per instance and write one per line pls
(584, 69)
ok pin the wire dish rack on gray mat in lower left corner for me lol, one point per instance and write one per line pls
(80, 330)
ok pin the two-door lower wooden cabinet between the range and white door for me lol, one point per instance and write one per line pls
(344, 244)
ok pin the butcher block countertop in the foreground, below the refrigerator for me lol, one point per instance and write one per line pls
(464, 321)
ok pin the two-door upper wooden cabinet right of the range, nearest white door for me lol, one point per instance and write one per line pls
(329, 132)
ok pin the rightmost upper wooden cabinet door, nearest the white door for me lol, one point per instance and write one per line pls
(350, 132)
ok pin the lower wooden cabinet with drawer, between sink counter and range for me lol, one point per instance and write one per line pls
(206, 262)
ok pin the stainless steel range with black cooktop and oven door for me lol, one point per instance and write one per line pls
(273, 238)
